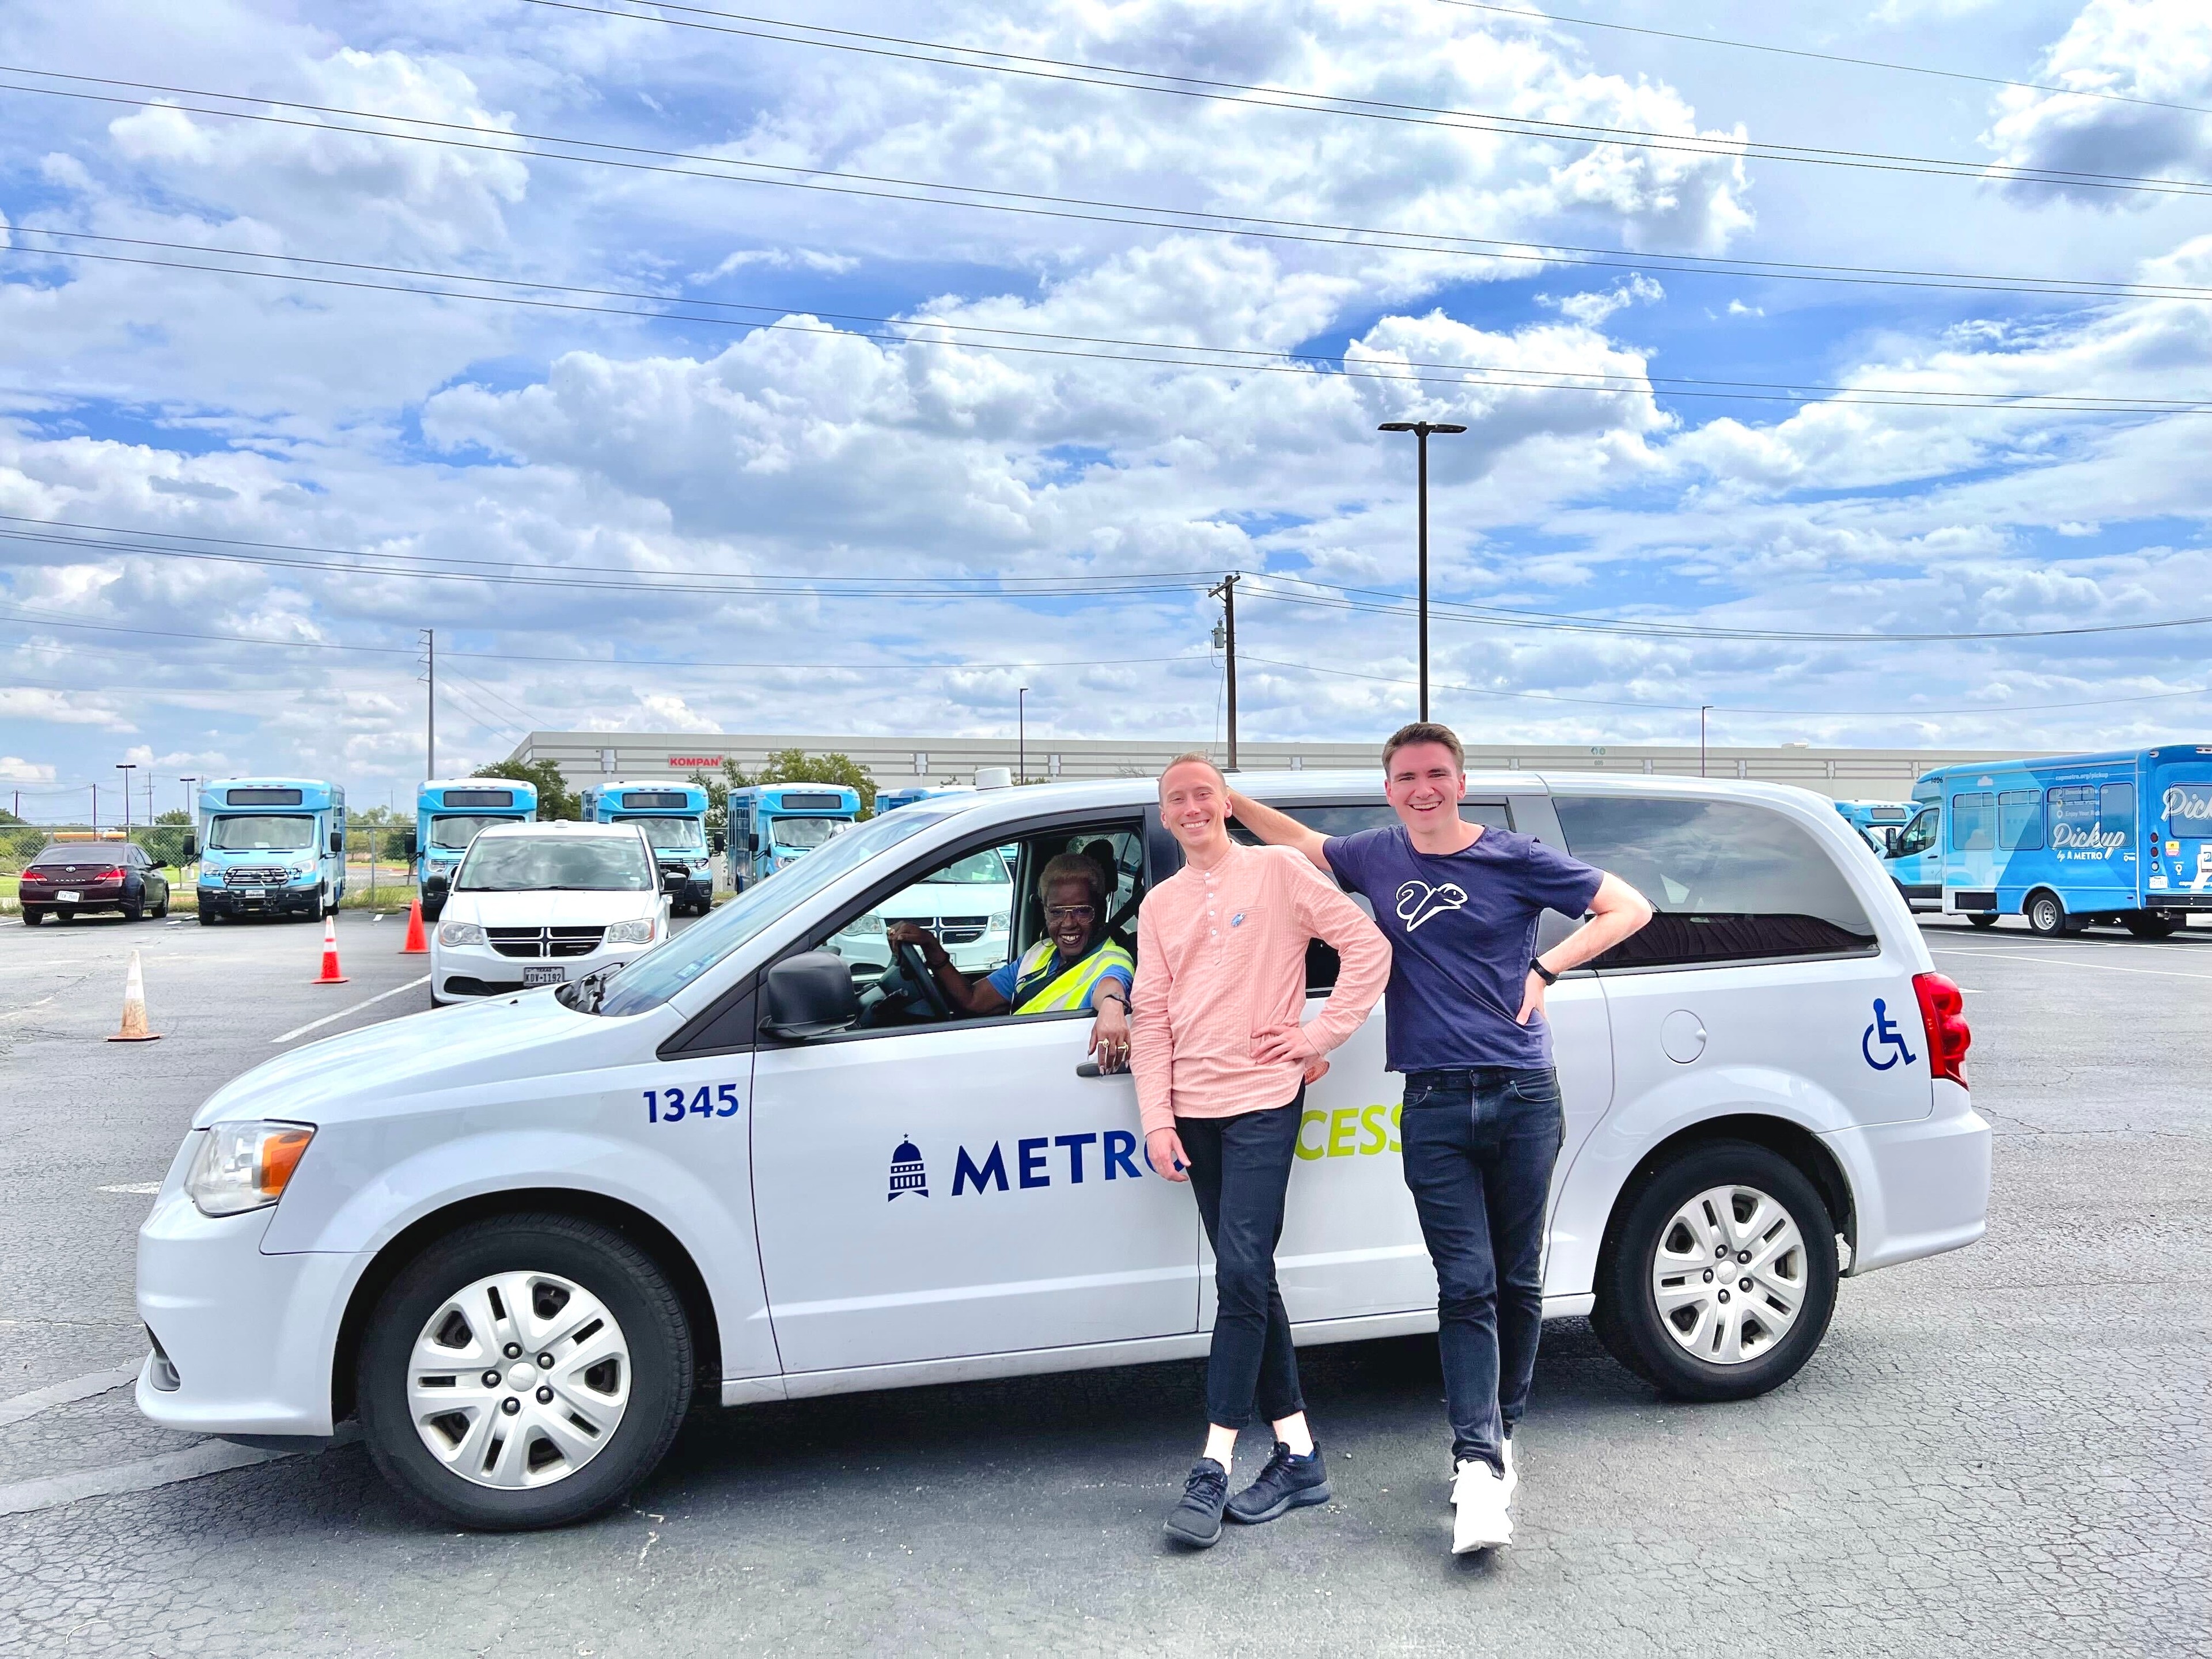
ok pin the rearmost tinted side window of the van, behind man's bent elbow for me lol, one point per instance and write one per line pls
(1729, 881)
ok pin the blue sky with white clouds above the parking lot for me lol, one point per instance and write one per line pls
(718, 375)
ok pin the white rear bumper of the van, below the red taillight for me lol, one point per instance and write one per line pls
(1921, 1187)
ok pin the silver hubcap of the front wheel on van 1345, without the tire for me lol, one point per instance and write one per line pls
(517, 1423)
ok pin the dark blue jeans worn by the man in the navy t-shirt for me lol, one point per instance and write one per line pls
(1479, 1154)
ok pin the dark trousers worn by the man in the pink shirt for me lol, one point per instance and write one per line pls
(1240, 1169)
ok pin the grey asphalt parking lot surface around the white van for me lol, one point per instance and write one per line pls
(1996, 1452)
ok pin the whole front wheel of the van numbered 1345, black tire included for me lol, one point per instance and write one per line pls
(640, 1401)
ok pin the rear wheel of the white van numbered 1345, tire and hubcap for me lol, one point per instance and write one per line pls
(1720, 1355)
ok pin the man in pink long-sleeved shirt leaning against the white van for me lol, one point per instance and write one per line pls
(1222, 1065)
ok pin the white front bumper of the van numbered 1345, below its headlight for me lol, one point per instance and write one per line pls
(249, 1337)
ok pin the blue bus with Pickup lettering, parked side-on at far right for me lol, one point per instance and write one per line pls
(2078, 839)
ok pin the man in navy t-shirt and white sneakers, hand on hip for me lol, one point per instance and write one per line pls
(1481, 1127)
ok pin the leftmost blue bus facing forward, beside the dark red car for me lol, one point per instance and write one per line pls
(271, 848)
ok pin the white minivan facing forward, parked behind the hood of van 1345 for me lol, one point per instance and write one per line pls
(545, 904)
